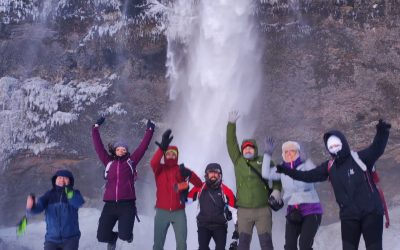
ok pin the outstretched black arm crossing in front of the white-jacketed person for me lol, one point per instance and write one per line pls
(317, 174)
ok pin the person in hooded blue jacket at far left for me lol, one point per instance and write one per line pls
(61, 204)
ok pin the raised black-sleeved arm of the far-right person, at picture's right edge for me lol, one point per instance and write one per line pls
(371, 154)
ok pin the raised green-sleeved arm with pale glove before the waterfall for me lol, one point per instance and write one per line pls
(231, 139)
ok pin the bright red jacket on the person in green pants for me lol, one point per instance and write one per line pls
(167, 176)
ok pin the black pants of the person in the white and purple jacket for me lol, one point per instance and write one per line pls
(306, 230)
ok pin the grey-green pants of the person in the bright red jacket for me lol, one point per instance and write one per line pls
(161, 223)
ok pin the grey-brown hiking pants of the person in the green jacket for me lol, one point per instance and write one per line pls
(261, 218)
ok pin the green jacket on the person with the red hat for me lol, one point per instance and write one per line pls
(251, 191)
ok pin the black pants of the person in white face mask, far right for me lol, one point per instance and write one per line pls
(370, 226)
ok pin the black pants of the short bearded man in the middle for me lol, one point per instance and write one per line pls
(218, 234)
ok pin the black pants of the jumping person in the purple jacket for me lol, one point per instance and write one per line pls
(124, 212)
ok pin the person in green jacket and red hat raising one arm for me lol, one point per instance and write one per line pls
(252, 193)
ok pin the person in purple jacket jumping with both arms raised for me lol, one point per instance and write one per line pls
(119, 195)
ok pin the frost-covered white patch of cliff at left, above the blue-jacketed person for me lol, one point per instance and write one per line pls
(30, 109)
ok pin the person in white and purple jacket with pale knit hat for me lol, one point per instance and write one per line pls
(304, 209)
